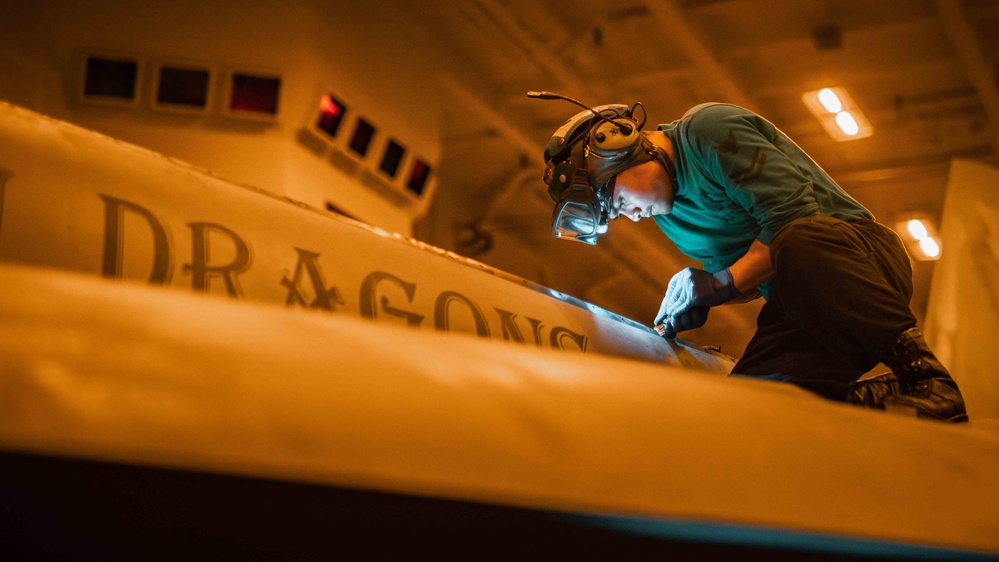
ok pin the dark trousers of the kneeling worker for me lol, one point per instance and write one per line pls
(841, 296)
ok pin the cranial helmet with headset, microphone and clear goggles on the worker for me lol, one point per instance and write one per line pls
(582, 158)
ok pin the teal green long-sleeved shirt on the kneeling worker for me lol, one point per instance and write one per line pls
(741, 179)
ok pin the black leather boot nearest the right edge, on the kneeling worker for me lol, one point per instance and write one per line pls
(926, 387)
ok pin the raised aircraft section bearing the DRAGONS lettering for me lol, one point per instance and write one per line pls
(74, 199)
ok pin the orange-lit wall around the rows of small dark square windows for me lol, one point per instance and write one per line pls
(370, 54)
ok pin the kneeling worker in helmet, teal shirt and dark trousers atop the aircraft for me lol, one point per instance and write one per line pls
(733, 192)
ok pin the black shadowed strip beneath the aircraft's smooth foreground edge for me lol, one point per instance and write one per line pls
(55, 508)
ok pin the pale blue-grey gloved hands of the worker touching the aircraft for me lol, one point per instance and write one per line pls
(689, 295)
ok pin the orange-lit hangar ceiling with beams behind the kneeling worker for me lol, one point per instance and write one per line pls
(923, 72)
